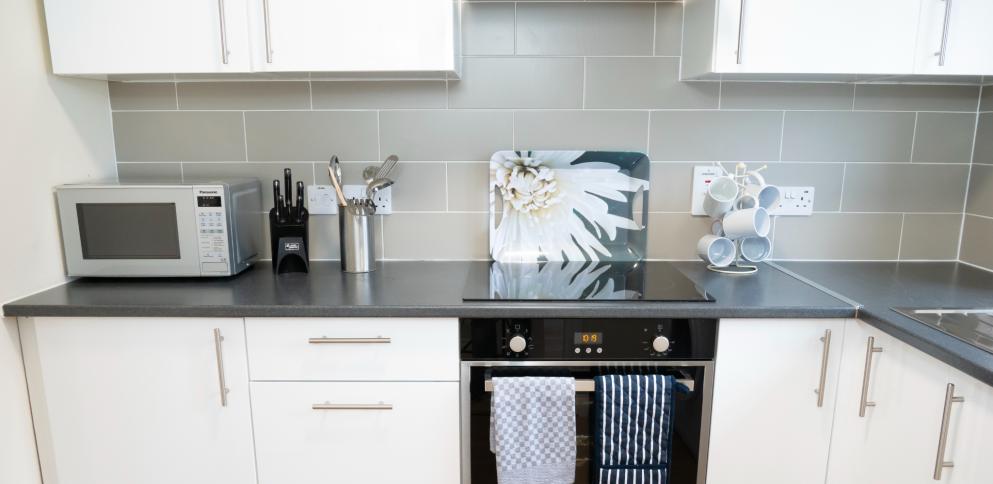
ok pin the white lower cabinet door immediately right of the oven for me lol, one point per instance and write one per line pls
(766, 409)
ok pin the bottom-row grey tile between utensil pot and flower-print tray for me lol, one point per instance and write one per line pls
(427, 236)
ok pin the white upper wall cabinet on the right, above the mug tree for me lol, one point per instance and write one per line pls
(836, 39)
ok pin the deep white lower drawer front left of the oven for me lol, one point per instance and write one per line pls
(360, 432)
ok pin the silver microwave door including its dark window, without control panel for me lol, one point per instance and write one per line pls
(129, 231)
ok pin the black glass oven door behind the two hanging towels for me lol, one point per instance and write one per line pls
(691, 429)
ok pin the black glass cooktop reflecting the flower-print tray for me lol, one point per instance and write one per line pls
(581, 281)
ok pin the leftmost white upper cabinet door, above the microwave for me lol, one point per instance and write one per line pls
(96, 37)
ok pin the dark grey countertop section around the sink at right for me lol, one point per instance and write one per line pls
(879, 286)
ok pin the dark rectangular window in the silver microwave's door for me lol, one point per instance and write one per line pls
(128, 230)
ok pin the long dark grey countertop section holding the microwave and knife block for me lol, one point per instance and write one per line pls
(408, 289)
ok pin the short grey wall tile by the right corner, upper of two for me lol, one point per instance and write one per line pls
(944, 138)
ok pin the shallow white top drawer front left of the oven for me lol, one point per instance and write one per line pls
(353, 349)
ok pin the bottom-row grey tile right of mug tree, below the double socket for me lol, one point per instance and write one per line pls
(844, 236)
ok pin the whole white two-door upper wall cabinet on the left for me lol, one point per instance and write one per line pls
(353, 38)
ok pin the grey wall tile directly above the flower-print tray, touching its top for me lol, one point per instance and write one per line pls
(587, 130)
